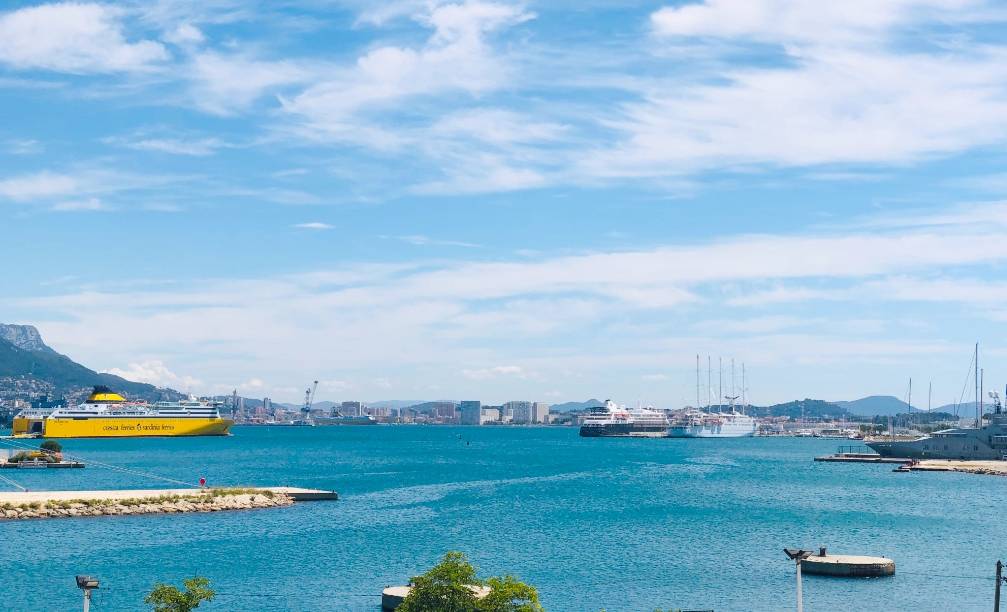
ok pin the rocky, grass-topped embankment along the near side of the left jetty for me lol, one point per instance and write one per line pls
(213, 501)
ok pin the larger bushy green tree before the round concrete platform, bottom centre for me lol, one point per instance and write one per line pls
(452, 585)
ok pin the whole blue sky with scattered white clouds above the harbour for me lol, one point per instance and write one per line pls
(510, 201)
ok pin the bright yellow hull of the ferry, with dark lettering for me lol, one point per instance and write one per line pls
(122, 427)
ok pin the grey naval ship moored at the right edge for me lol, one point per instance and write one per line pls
(986, 442)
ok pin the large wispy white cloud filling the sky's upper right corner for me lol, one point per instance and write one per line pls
(842, 91)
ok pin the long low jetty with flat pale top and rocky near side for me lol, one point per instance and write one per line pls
(56, 505)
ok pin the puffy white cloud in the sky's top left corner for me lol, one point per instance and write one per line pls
(74, 38)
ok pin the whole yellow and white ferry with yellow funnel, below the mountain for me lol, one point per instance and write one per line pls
(108, 415)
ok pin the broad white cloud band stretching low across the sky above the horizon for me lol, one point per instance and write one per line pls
(554, 320)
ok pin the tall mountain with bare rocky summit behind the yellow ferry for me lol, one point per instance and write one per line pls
(25, 356)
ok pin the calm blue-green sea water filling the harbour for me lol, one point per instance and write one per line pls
(617, 524)
